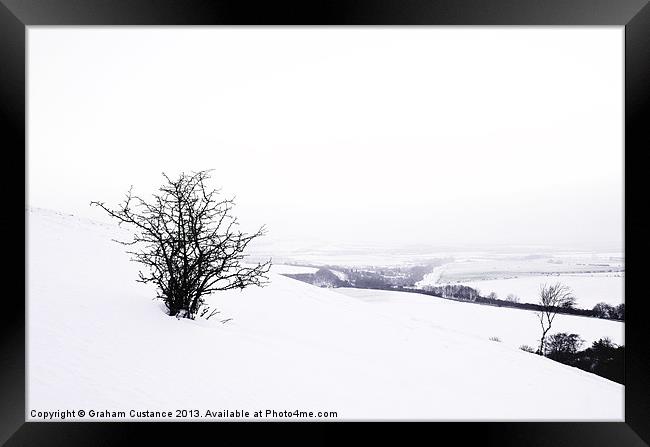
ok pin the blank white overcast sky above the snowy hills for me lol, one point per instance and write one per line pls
(430, 135)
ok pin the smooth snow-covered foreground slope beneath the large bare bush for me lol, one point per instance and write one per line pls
(96, 341)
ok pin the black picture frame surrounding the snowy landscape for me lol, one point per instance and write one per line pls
(16, 15)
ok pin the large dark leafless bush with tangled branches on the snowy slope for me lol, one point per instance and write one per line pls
(189, 242)
